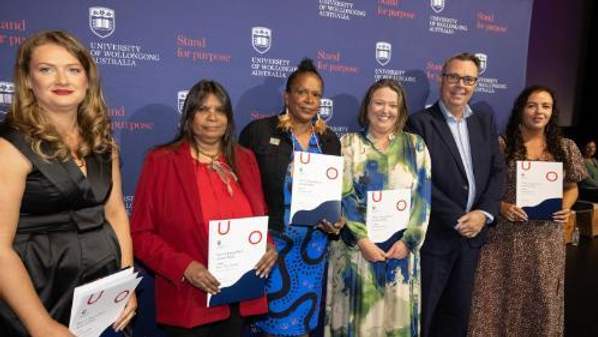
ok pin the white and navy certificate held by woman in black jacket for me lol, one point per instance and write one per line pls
(317, 188)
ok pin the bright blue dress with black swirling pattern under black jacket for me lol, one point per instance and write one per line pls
(295, 284)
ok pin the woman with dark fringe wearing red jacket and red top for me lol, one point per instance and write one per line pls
(201, 175)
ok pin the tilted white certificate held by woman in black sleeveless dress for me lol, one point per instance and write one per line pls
(98, 304)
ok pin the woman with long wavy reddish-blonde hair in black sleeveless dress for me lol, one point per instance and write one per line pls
(62, 217)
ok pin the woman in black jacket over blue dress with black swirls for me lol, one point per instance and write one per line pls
(295, 284)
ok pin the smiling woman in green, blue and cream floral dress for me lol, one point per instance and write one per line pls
(374, 288)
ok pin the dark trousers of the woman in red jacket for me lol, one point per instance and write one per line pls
(231, 327)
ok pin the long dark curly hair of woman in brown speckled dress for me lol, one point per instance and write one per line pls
(515, 150)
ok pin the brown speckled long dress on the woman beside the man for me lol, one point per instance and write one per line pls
(519, 284)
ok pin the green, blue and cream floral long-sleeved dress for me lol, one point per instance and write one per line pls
(378, 299)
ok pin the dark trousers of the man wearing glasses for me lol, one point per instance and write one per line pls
(447, 284)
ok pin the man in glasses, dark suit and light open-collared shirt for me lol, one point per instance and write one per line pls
(467, 186)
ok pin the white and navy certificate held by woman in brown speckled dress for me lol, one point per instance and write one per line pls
(539, 188)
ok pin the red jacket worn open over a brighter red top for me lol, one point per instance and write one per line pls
(168, 232)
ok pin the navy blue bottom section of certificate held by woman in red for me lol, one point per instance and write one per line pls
(249, 286)
